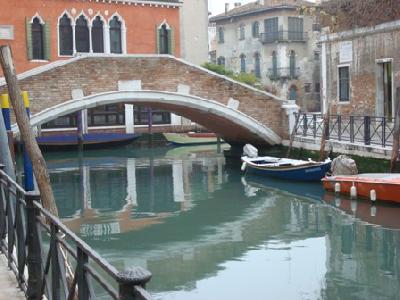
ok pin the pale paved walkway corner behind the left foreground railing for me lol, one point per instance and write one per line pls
(8, 284)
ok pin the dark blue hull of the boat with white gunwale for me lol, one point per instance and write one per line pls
(304, 173)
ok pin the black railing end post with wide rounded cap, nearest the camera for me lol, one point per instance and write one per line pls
(128, 280)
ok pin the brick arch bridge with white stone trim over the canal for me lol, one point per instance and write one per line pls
(236, 112)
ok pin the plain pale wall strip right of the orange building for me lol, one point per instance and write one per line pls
(194, 27)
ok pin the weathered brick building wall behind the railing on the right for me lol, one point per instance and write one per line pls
(360, 70)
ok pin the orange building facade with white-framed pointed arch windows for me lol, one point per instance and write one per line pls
(43, 31)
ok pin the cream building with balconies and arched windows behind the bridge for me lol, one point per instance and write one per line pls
(274, 42)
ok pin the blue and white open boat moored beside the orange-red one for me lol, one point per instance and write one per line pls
(285, 168)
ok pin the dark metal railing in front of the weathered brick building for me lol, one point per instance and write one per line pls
(366, 130)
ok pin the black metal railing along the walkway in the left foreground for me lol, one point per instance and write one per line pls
(49, 260)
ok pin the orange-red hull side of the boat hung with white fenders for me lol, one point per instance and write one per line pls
(385, 191)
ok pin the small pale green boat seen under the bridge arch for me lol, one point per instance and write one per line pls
(191, 138)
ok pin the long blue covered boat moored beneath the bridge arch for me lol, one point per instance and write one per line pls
(90, 140)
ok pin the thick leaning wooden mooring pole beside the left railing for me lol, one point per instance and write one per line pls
(27, 135)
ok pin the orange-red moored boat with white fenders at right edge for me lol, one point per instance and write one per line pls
(385, 186)
